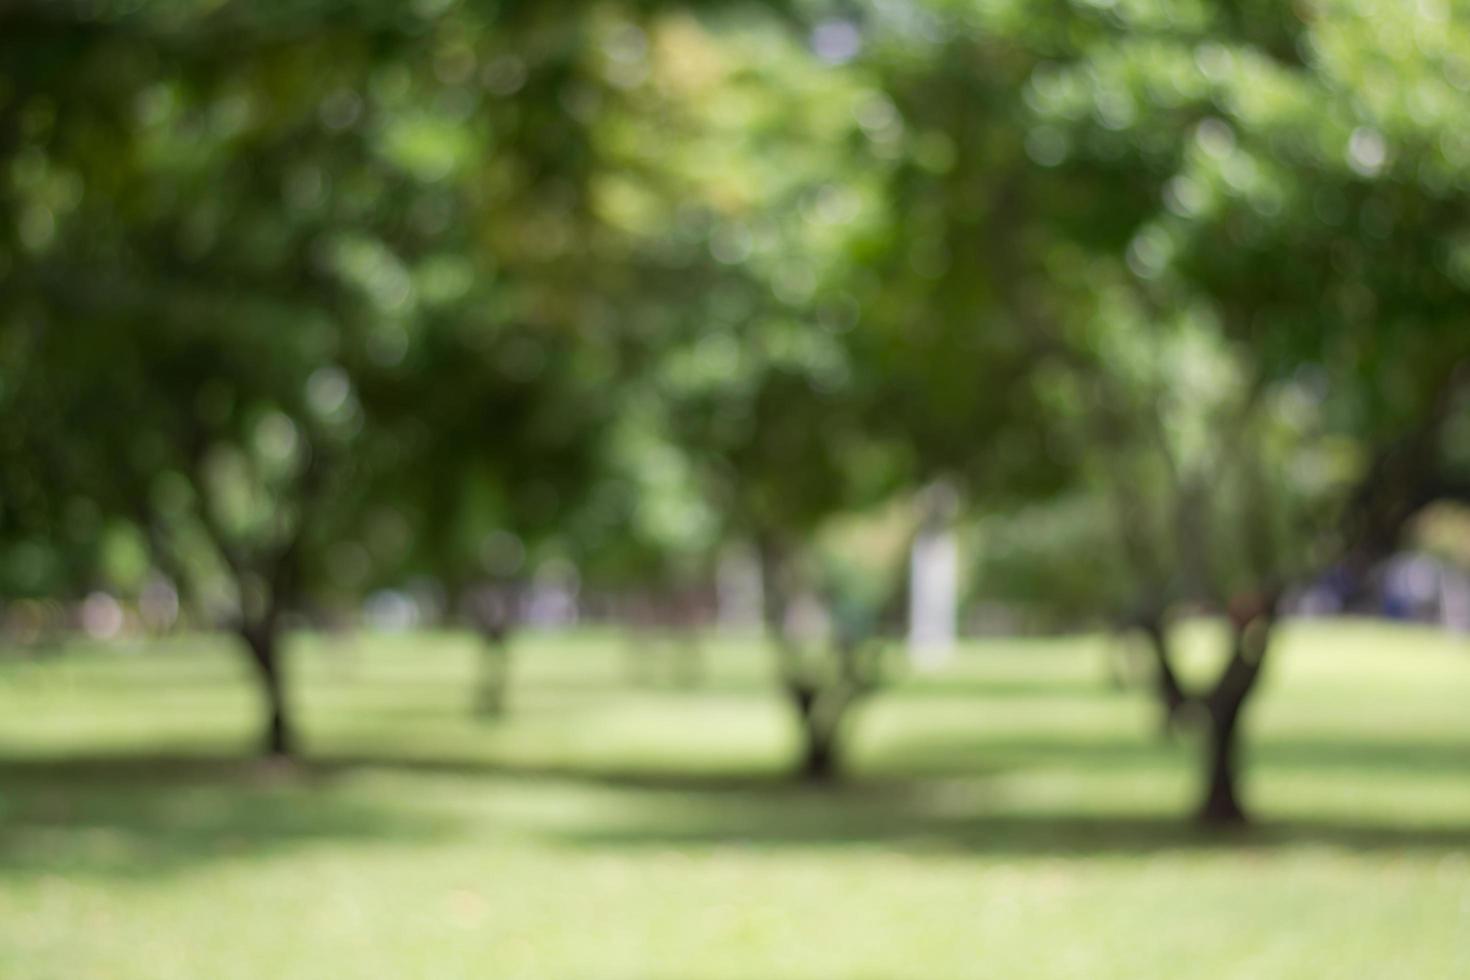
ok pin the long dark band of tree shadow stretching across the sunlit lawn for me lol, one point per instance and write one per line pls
(149, 816)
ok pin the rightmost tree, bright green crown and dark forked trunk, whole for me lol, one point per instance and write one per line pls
(1309, 224)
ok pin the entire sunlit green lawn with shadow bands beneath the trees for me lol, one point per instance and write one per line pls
(1017, 816)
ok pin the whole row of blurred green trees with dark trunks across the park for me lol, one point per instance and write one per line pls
(302, 300)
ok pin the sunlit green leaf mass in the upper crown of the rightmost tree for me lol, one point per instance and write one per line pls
(1309, 202)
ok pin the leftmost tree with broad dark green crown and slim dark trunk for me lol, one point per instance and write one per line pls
(234, 253)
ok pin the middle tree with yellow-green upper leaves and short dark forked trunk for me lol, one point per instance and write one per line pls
(739, 364)
